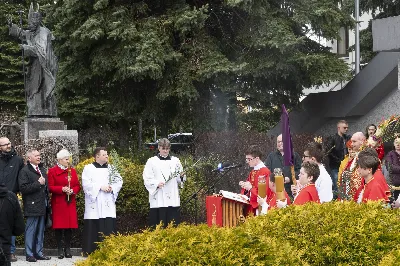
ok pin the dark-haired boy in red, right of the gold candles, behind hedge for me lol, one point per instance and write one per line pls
(309, 173)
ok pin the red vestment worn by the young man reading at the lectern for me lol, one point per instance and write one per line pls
(253, 192)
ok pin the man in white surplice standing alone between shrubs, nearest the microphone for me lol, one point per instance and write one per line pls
(162, 176)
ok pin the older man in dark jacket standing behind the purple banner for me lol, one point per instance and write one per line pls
(275, 160)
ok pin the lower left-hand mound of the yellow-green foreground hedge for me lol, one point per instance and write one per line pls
(193, 245)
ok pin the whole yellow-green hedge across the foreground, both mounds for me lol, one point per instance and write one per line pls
(328, 234)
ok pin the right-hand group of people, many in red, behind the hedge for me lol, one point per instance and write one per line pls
(357, 170)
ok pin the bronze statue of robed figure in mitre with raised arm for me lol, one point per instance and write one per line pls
(40, 75)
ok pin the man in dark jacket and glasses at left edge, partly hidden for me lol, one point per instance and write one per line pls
(10, 165)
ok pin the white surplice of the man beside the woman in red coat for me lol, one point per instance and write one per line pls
(99, 204)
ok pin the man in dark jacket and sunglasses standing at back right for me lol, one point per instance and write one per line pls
(337, 150)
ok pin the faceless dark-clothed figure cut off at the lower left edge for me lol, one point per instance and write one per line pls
(11, 222)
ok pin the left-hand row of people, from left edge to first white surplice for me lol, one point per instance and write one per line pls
(49, 201)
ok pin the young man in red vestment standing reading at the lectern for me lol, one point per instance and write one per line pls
(250, 186)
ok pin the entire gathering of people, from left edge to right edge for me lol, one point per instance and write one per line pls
(357, 170)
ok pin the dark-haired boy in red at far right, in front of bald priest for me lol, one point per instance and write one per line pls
(372, 190)
